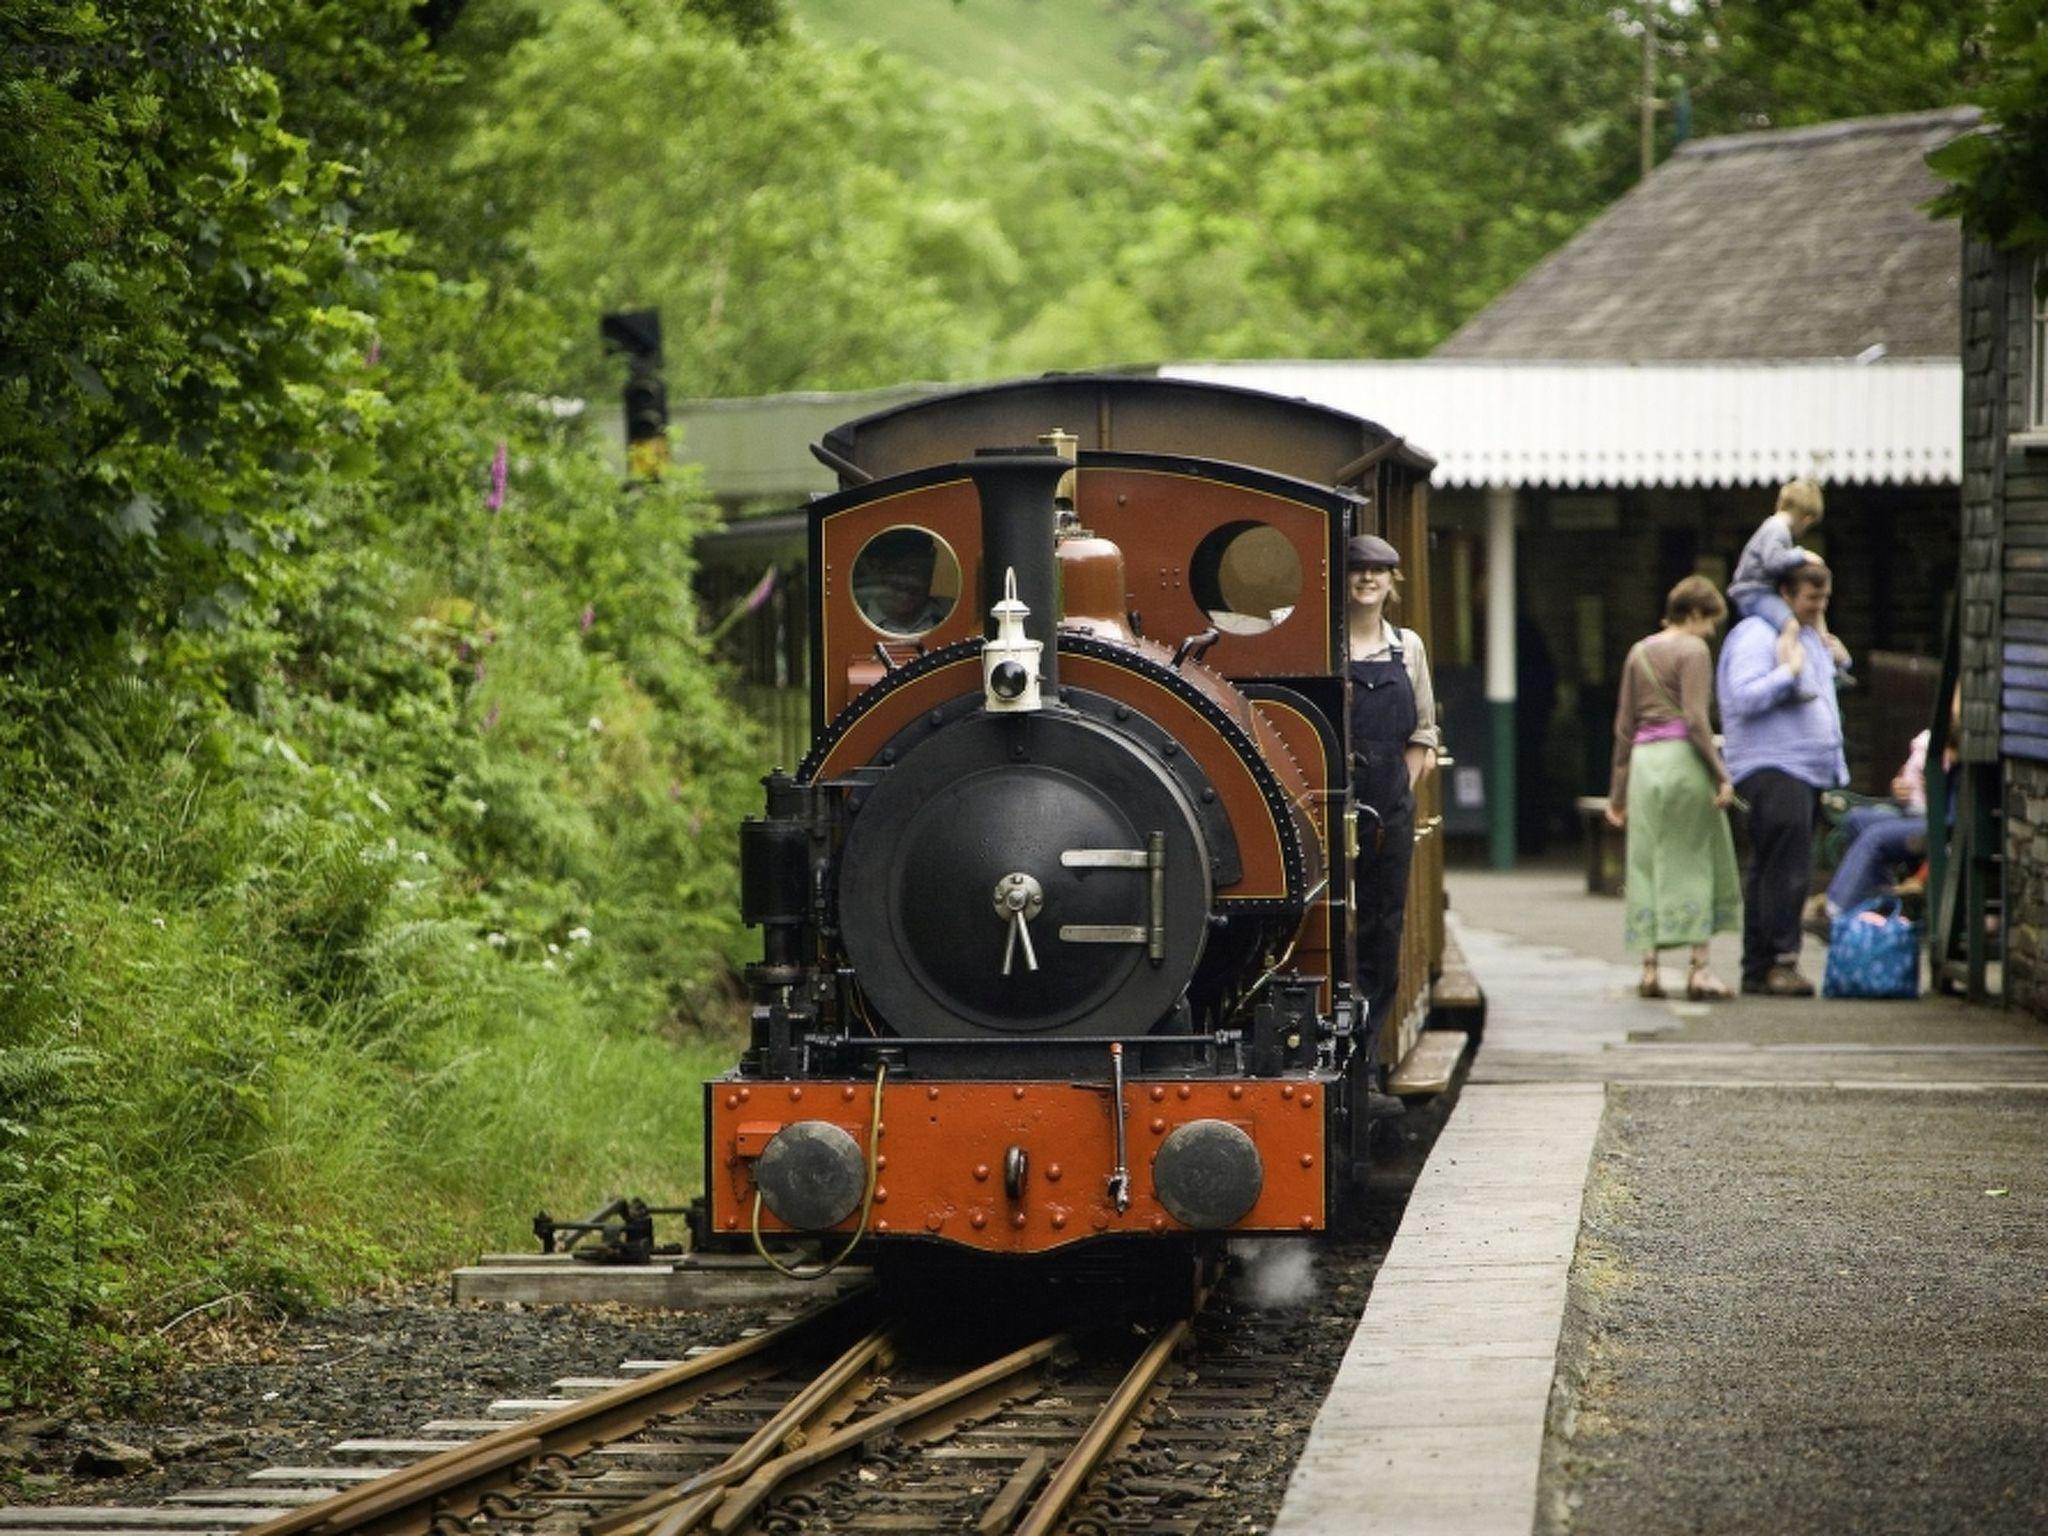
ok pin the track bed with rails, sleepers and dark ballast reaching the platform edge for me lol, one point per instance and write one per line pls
(853, 1418)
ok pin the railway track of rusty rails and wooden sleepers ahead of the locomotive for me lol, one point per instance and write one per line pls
(851, 1418)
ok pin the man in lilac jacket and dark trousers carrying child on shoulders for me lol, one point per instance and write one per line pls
(1783, 742)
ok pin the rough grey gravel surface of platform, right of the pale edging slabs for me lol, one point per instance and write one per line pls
(1807, 1312)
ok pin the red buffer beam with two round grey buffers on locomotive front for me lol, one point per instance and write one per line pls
(1019, 1166)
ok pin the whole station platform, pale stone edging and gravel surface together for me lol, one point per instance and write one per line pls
(1760, 1265)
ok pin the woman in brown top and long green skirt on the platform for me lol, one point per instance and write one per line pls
(1672, 792)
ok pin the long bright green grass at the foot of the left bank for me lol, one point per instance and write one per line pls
(179, 1111)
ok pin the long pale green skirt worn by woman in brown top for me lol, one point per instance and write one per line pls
(1682, 884)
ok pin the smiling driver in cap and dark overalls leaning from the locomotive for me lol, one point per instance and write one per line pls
(1394, 742)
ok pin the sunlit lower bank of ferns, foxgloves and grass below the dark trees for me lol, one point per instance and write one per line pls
(280, 1015)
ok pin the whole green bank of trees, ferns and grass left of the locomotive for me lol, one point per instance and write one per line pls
(366, 863)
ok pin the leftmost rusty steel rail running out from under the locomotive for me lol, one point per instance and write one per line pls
(454, 1482)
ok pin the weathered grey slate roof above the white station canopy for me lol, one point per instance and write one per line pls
(1795, 245)
